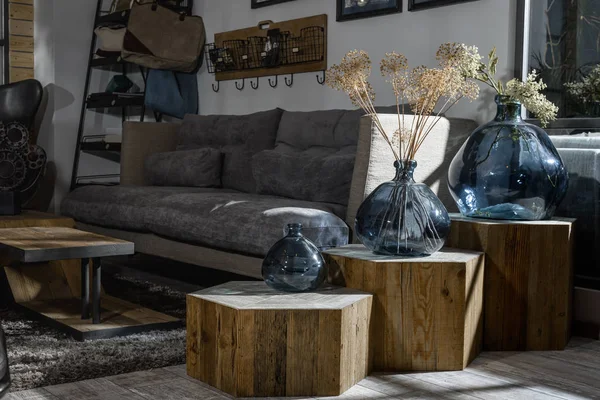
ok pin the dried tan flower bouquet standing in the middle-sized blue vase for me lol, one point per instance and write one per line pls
(430, 92)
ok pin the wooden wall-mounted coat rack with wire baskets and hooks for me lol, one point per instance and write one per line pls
(269, 49)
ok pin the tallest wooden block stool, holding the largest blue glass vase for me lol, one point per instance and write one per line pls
(528, 280)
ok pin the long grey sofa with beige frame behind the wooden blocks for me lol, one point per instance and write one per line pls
(277, 167)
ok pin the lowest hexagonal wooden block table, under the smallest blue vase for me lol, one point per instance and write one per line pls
(249, 340)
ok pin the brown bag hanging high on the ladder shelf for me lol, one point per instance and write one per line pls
(160, 38)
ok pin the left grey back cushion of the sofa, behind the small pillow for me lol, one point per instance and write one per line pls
(230, 133)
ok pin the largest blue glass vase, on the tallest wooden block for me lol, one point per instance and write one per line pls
(508, 169)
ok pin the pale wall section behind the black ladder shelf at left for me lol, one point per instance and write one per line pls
(63, 36)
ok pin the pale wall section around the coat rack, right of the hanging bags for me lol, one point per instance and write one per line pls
(484, 23)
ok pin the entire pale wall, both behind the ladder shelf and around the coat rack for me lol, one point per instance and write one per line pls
(63, 34)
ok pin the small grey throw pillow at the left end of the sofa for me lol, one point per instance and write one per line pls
(194, 168)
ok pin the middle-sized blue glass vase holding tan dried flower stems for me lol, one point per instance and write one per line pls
(402, 217)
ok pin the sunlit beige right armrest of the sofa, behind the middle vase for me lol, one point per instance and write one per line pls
(375, 162)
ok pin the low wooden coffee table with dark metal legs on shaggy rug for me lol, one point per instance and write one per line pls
(78, 312)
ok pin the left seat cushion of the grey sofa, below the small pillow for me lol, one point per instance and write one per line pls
(121, 207)
